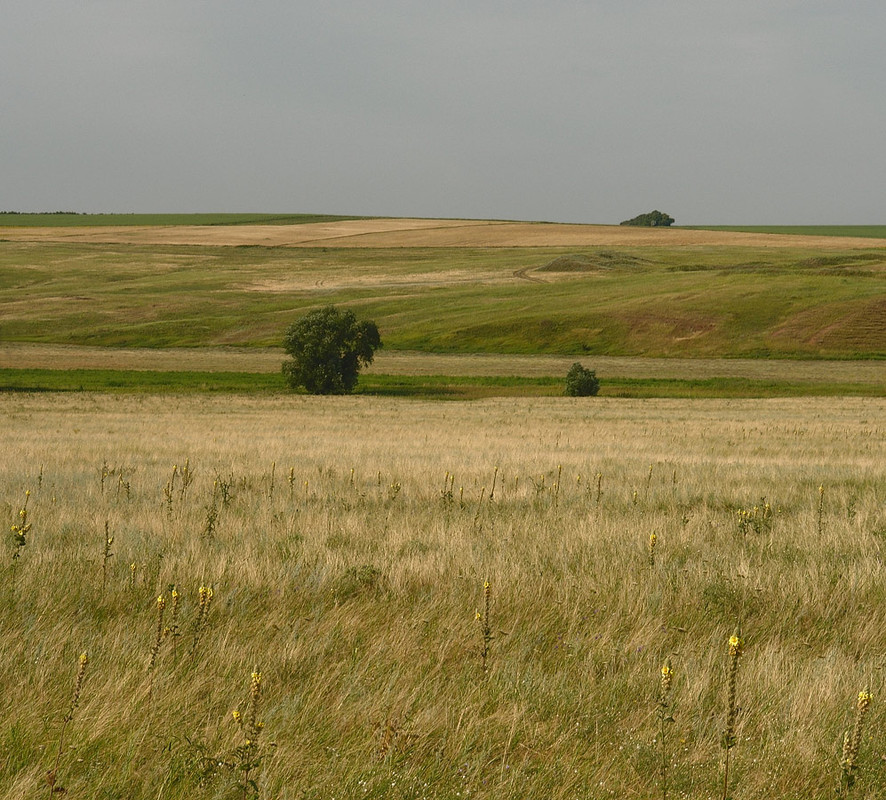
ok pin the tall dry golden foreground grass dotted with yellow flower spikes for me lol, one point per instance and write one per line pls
(345, 560)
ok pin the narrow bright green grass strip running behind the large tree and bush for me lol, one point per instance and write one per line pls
(427, 386)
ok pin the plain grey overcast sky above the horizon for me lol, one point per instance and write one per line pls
(750, 112)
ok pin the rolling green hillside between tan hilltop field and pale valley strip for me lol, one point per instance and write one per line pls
(676, 302)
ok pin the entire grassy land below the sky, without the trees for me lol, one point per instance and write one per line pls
(387, 596)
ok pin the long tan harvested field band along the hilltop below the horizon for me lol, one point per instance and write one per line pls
(425, 233)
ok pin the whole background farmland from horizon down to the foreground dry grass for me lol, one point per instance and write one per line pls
(658, 312)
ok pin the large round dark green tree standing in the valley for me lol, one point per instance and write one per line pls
(328, 349)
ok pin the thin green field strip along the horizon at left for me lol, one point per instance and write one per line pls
(62, 220)
